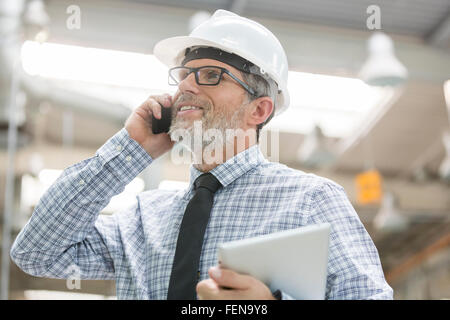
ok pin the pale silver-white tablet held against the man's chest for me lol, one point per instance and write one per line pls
(293, 261)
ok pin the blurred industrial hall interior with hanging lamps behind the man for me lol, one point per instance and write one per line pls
(370, 109)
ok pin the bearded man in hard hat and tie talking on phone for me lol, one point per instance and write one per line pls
(231, 73)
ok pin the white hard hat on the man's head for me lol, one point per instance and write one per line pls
(234, 34)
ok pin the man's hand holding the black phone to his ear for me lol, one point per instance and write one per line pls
(139, 126)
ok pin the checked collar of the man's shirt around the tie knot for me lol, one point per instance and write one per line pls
(234, 167)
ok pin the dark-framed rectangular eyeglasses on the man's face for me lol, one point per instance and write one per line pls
(204, 76)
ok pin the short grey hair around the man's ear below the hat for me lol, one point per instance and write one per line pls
(264, 87)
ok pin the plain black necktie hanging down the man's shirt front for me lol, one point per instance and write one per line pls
(184, 277)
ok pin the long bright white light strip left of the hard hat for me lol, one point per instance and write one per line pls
(111, 67)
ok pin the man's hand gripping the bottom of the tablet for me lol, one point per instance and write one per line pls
(225, 284)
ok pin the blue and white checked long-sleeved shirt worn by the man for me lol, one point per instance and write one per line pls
(136, 247)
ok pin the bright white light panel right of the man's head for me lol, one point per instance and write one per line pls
(337, 104)
